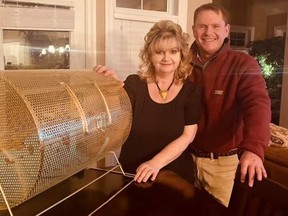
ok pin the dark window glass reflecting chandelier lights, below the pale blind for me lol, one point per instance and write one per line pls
(33, 49)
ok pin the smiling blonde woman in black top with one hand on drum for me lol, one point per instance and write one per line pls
(166, 106)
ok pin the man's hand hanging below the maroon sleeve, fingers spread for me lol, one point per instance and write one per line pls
(252, 165)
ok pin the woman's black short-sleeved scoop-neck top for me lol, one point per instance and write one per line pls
(155, 125)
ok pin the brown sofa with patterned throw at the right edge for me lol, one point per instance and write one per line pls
(276, 155)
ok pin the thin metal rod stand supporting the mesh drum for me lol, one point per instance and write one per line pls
(113, 169)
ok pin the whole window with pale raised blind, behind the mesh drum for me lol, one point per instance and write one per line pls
(31, 41)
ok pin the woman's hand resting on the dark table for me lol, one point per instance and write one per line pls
(146, 171)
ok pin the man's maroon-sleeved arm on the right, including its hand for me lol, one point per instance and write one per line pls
(255, 103)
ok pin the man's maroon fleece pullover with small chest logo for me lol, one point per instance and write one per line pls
(236, 107)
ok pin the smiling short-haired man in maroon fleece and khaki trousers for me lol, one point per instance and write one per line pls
(235, 111)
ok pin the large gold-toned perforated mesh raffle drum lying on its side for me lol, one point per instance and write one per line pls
(54, 123)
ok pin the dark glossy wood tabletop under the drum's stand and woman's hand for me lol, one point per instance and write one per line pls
(170, 195)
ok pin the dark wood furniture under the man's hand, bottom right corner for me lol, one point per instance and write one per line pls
(265, 198)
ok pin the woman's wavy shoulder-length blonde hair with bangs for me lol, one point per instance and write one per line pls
(161, 30)
